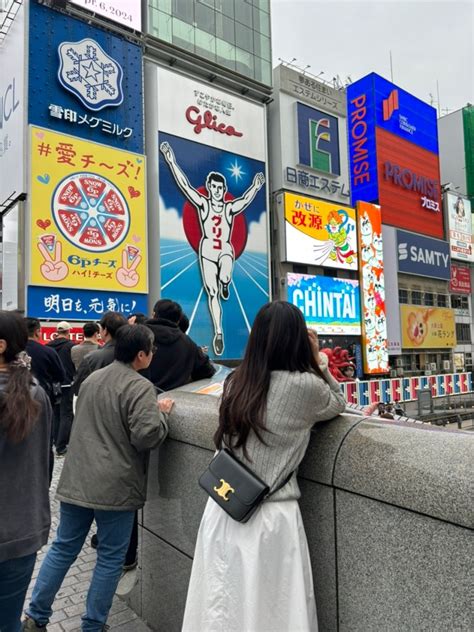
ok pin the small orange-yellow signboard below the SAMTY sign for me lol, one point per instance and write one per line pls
(427, 327)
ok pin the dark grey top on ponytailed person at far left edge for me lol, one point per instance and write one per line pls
(24, 484)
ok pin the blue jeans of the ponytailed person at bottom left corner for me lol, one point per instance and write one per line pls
(15, 576)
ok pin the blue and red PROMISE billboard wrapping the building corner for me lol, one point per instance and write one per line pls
(393, 151)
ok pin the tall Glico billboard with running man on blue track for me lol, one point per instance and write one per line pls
(213, 220)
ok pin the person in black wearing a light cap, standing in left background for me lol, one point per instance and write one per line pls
(63, 414)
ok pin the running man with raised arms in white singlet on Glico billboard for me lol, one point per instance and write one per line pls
(216, 217)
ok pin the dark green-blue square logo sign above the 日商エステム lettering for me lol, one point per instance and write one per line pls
(318, 136)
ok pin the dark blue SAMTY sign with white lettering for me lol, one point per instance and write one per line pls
(423, 256)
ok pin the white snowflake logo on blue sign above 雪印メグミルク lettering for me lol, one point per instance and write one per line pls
(90, 74)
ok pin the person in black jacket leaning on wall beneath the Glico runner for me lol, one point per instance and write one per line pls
(178, 359)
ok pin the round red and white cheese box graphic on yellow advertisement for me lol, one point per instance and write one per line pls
(91, 212)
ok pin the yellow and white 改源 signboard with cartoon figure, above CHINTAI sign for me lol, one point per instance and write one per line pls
(320, 233)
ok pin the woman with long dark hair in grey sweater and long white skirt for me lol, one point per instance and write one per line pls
(257, 576)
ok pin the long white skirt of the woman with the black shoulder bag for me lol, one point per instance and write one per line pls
(253, 577)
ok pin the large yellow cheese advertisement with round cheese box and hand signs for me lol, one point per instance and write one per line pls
(88, 215)
